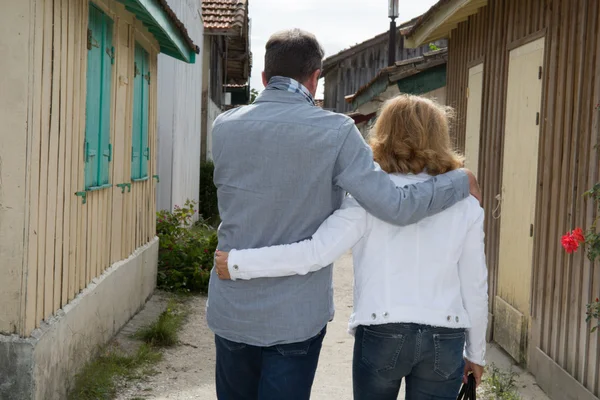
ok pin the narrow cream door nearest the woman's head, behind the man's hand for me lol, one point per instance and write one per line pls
(473, 126)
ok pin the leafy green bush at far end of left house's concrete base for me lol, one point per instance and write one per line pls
(186, 253)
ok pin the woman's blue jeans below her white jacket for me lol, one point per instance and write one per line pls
(429, 359)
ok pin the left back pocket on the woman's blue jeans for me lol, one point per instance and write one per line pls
(380, 350)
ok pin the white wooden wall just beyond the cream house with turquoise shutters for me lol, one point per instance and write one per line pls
(179, 116)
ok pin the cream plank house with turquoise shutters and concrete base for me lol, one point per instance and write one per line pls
(78, 250)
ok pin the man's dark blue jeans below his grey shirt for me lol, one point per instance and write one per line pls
(279, 372)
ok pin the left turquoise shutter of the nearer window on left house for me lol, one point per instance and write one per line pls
(93, 100)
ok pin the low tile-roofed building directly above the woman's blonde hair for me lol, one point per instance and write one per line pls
(423, 76)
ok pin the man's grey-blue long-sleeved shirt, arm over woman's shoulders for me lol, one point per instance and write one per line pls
(282, 166)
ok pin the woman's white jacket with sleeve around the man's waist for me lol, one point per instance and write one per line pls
(432, 272)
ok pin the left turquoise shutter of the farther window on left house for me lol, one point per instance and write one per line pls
(136, 140)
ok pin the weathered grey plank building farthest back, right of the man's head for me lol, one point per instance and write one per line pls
(350, 69)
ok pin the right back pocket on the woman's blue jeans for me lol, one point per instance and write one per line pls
(449, 349)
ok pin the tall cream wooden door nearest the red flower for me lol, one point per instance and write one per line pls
(519, 183)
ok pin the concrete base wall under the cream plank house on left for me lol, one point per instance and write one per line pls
(43, 366)
